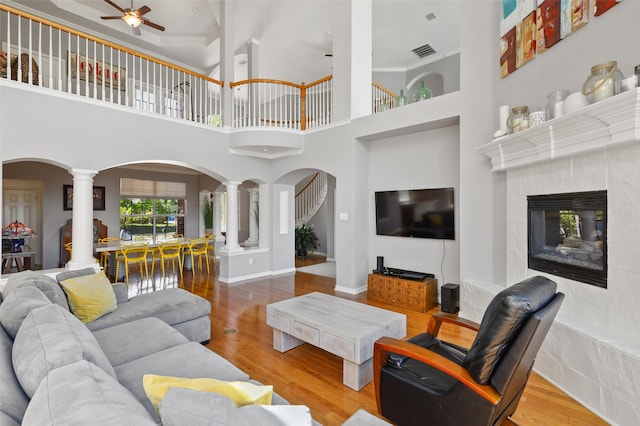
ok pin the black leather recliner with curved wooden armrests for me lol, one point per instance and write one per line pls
(428, 381)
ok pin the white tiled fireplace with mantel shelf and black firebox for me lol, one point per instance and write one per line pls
(593, 349)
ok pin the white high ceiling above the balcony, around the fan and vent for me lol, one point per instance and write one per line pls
(293, 36)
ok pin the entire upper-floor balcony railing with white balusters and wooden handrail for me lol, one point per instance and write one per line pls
(40, 52)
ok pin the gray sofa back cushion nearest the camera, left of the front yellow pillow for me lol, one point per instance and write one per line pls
(83, 394)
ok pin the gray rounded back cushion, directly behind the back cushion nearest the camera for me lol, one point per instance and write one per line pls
(51, 337)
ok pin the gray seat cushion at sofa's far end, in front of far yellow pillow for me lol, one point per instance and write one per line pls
(172, 305)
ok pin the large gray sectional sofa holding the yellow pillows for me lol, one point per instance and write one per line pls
(55, 370)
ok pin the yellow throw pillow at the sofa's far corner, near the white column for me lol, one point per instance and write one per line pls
(90, 296)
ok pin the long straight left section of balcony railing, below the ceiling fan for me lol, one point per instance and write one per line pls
(58, 58)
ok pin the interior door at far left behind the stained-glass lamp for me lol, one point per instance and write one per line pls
(22, 203)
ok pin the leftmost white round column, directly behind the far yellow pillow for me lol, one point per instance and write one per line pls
(82, 220)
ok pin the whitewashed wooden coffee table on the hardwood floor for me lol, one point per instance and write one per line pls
(345, 328)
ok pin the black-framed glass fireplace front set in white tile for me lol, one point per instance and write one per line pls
(568, 235)
